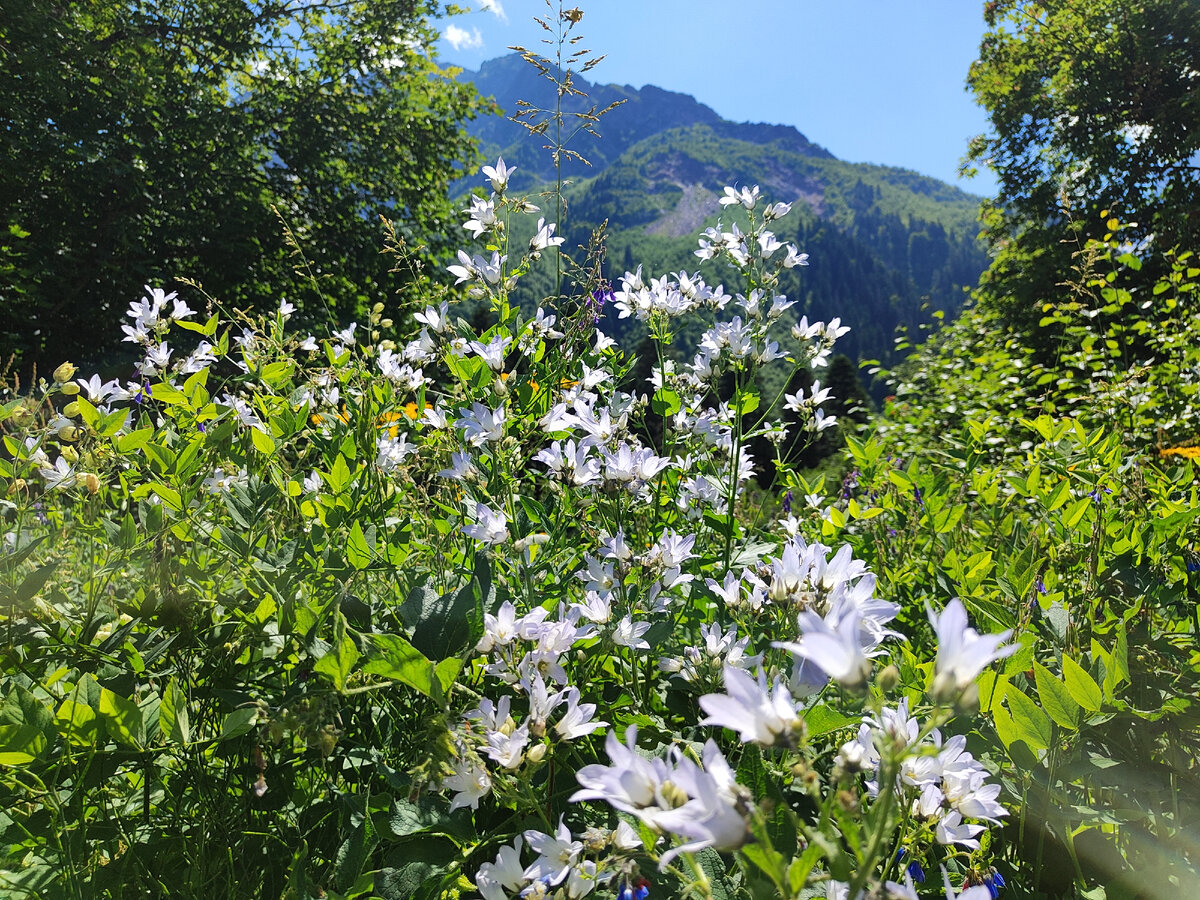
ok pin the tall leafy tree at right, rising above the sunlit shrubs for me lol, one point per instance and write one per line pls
(1095, 106)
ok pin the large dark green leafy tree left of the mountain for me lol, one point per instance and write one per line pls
(154, 140)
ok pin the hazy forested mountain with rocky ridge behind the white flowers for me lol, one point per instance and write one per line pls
(887, 247)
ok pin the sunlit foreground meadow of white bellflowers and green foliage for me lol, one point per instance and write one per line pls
(464, 598)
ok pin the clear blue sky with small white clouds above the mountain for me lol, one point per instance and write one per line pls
(873, 81)
